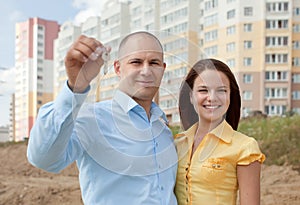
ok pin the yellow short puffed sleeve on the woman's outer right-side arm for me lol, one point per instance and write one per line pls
(250, 152)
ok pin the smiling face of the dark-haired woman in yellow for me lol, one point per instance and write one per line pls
(211, 96)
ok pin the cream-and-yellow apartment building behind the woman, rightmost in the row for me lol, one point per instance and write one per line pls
(255, 39)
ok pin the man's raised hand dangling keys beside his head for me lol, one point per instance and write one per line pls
(83, 62)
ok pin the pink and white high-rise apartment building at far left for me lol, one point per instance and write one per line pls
(34, 71)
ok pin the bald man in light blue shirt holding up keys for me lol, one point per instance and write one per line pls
(123, 149)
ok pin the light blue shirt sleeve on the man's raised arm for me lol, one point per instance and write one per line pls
(53, 144)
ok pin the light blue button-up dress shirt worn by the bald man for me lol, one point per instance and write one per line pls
(122, 156)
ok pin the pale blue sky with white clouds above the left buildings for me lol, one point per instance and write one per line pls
(14, 11)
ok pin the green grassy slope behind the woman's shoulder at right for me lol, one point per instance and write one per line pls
(278, 137)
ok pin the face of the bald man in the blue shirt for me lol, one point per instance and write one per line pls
(140, 67)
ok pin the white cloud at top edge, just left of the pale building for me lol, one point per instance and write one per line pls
(87, 8)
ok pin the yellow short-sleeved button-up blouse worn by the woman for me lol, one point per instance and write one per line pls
(209, 176)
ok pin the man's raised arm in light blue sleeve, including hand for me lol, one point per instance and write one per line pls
(53, 143)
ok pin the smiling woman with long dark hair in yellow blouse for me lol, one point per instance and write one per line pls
(215, 161)
